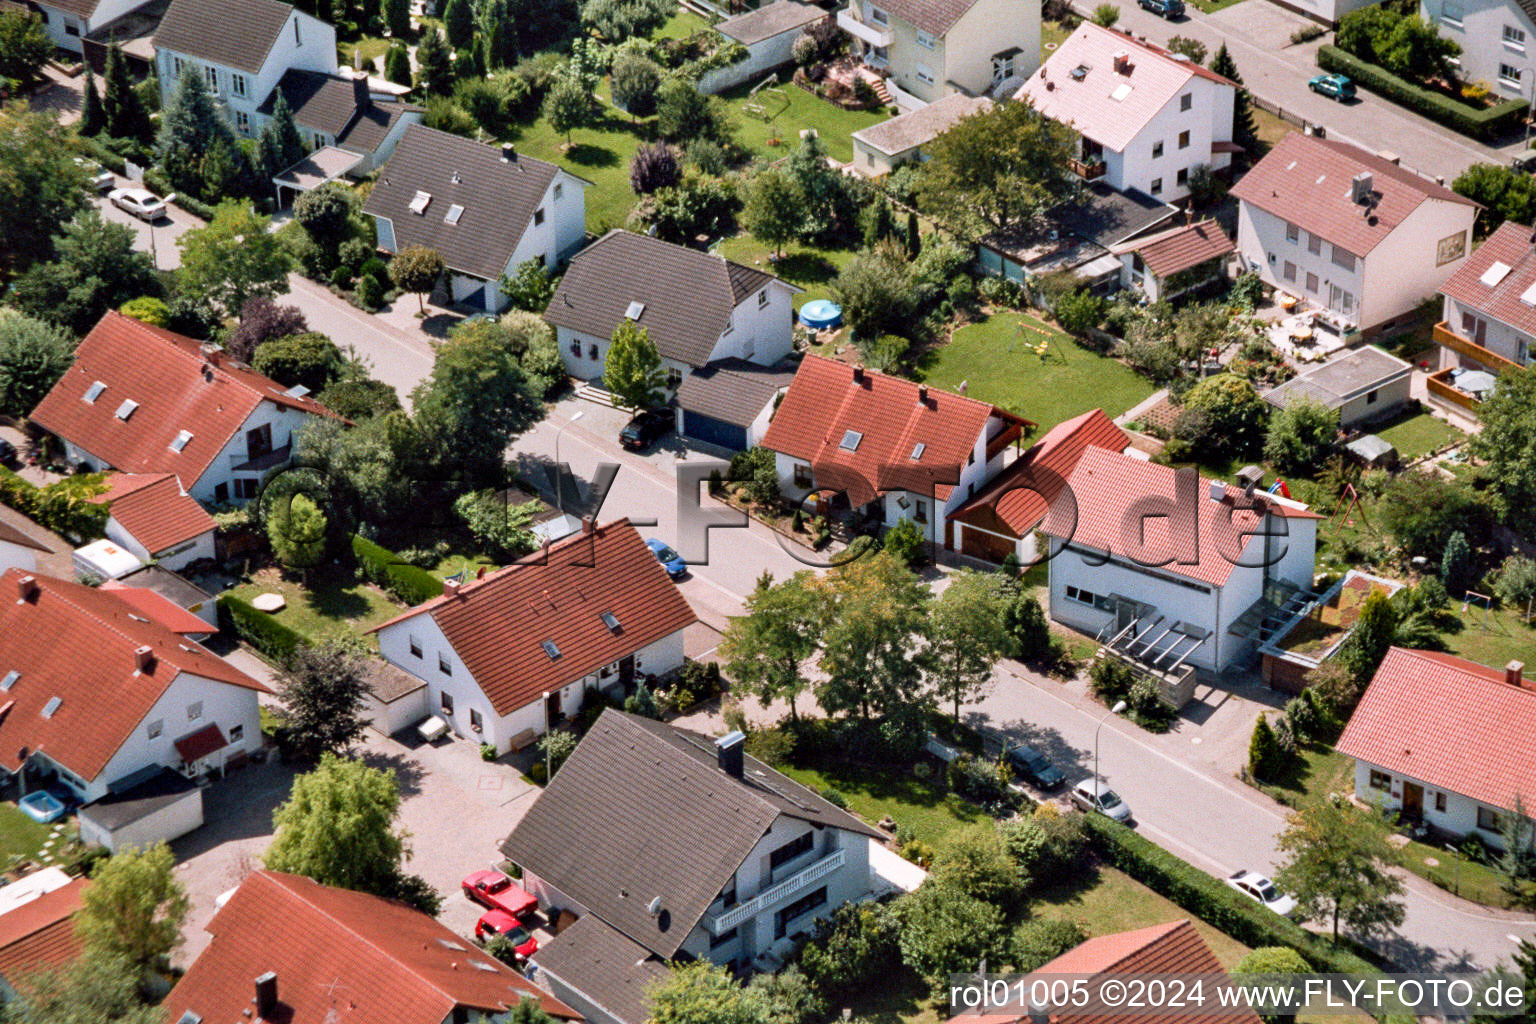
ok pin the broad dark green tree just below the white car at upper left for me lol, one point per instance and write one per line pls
(96, 268)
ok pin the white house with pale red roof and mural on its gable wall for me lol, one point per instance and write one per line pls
(1352, 234)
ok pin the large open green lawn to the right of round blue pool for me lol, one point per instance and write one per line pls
(1001, 366)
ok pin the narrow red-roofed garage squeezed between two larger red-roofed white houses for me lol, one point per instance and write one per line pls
(1004, 517)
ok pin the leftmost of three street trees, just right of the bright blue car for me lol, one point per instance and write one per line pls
(766, 649)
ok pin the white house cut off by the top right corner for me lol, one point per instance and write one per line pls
(1497, 39)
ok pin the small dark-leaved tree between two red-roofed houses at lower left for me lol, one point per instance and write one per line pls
(325, 693)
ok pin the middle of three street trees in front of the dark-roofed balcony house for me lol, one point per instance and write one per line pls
(876, 610)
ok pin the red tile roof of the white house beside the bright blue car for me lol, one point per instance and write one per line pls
(498, 626)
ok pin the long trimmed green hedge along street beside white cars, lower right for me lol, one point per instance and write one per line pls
(1213, 900)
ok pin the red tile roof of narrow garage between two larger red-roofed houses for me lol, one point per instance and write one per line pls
(1021, 495)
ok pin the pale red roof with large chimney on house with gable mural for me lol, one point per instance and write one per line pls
(1306, 180)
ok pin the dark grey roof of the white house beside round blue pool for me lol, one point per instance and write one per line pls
(689, 296)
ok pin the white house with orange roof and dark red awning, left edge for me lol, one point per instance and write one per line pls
(105, 692)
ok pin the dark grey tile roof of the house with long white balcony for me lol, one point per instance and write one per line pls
(641, 811)
